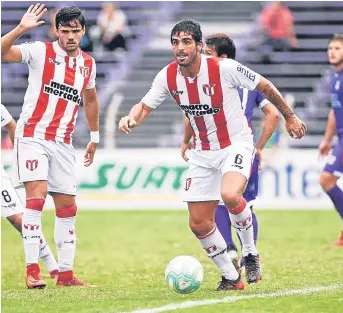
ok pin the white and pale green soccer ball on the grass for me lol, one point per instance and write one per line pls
(184, 274)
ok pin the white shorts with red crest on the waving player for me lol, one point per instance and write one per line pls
(53, 161)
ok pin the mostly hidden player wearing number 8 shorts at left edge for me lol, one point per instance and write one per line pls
(11, 206)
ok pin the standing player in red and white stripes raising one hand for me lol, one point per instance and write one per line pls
(60, 75)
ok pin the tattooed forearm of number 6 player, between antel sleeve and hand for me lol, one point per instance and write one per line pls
(274, 96)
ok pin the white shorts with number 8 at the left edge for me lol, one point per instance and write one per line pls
(10, 200)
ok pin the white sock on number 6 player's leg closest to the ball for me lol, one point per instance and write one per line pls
(215, 247)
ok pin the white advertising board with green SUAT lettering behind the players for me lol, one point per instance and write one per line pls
(154, 179)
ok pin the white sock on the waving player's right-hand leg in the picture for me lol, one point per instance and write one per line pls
(65, 239)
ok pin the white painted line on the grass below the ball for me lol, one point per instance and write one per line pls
(192, 304)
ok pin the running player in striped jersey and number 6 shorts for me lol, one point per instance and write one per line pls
(204, 89)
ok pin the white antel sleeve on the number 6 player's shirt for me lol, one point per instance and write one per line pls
(239, 75)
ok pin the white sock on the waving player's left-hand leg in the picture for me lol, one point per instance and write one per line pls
(31, 229)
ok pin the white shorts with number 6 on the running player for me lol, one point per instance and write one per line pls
(206, 168)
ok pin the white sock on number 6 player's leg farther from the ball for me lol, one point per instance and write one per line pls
(243, 224)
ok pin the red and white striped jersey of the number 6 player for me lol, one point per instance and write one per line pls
(210, 101)
